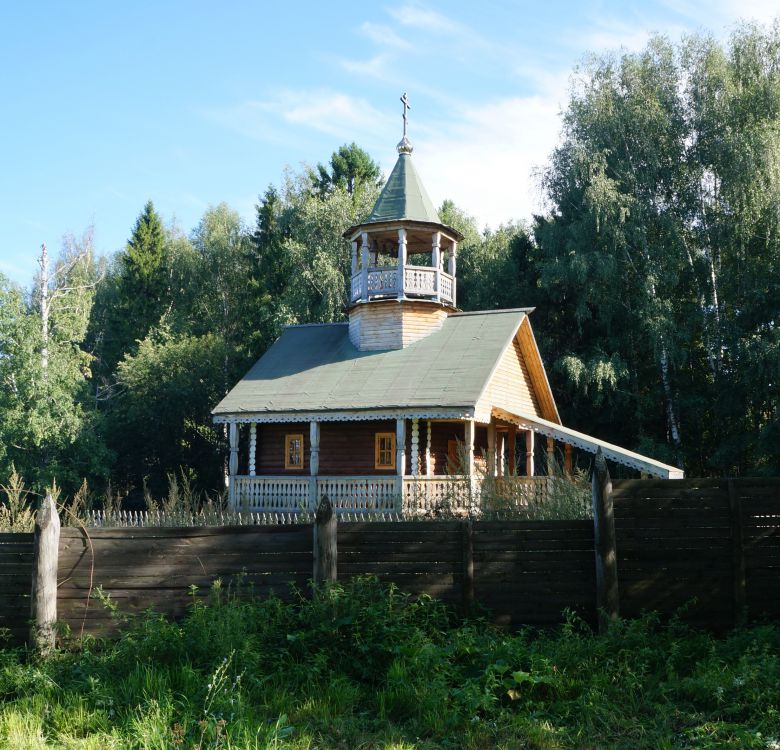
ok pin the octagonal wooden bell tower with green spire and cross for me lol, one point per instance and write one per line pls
(404, 261)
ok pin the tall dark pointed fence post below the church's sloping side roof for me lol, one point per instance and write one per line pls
(607, 598)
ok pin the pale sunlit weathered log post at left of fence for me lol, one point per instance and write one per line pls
(46, 542)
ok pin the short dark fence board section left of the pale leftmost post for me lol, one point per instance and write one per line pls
(16, 565)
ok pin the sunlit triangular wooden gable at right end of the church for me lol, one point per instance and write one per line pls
(518, 383)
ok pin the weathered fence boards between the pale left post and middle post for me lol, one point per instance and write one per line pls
(156, 568)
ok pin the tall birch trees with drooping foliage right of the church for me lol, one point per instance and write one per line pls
(661, 257)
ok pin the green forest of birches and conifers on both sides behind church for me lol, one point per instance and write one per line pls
(655, 274)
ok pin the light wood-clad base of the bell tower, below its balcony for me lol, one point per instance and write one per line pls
(381, 325)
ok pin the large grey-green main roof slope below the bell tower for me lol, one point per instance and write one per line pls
(317, 368)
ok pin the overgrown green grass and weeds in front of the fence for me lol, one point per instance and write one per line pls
(363, 666)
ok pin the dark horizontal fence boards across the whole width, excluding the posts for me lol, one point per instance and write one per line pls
(712, 546)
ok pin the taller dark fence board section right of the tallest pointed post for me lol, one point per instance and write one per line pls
(708, 545)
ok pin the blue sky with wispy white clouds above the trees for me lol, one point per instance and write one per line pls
(106, 105)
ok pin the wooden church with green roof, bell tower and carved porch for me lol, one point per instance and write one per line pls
(410, 402)
